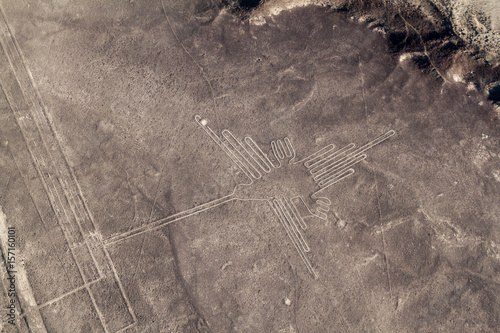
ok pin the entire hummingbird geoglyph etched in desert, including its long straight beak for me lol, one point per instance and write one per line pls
(267, 175)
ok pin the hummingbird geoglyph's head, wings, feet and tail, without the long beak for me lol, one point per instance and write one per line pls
(326, 167)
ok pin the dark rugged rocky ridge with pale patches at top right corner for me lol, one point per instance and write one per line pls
(421, 30)
